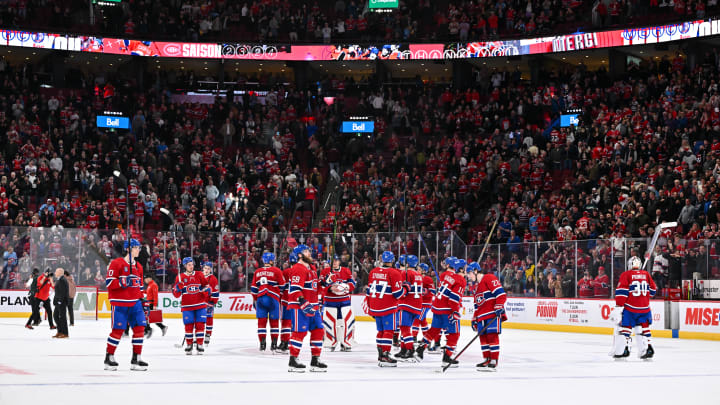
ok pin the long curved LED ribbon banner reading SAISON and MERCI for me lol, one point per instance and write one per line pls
(246, 51)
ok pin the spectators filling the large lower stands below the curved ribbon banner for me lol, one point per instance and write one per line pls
(443, 161)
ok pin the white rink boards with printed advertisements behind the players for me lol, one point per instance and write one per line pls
(697, 319)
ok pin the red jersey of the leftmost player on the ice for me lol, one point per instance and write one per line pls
(120, 273)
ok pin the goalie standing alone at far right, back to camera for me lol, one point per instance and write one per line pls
(632, 310)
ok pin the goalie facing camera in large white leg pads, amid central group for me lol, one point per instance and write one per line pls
(338, 319)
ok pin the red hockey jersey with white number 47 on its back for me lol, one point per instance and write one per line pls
(383, 291)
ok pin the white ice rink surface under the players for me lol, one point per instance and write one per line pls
(535, 367)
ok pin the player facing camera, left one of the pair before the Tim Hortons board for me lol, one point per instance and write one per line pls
(193, 290)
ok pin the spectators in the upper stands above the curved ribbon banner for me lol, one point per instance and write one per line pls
(341, 20)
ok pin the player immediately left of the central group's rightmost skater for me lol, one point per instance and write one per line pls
(446, 312)
